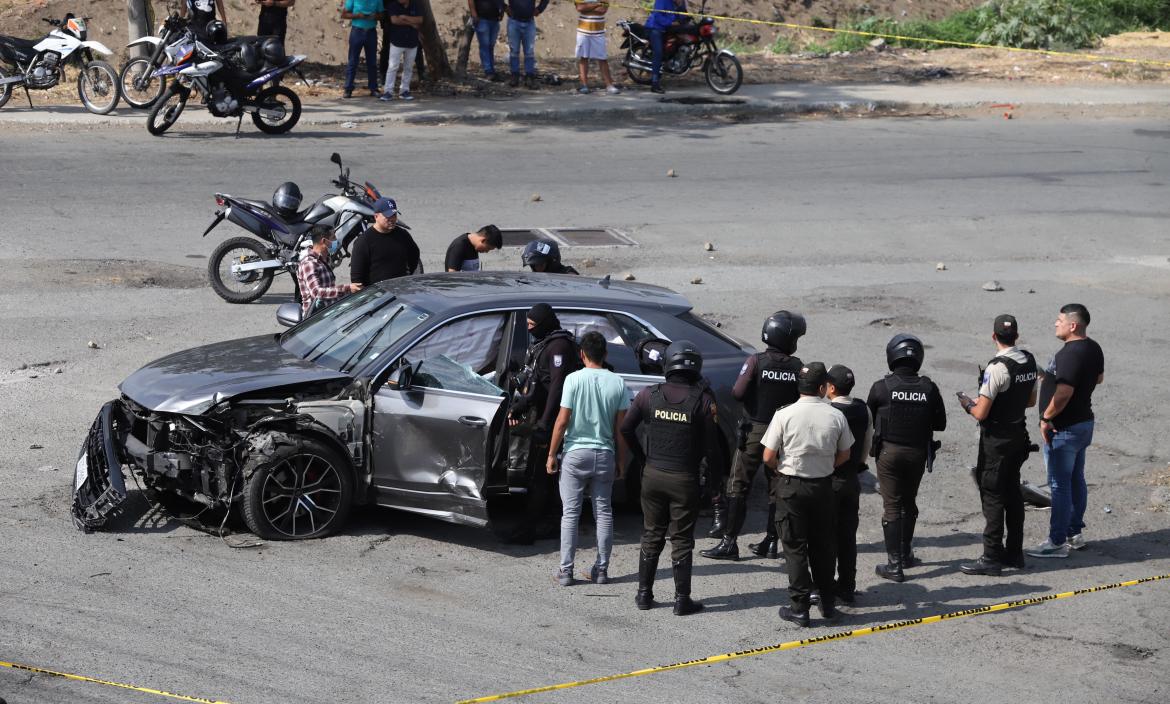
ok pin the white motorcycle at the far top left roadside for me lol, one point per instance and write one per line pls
(40, 65)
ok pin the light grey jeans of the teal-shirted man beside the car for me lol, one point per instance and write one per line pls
(581, 471)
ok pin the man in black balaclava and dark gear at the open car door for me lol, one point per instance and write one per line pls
(552, 357)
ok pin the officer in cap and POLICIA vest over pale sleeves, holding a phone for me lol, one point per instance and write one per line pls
(1007, 390)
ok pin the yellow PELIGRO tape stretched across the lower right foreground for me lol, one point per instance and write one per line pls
(834, 637)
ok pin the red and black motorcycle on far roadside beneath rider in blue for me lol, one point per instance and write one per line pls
(685, 49)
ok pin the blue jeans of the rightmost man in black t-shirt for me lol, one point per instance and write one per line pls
(1065, 460)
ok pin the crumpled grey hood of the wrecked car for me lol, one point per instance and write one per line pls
(194, 381)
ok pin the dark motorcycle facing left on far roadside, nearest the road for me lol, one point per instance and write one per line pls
(231, 79)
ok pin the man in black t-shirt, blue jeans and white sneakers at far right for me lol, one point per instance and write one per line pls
(1066, 424)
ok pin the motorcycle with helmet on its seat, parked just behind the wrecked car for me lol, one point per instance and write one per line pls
(242, 270)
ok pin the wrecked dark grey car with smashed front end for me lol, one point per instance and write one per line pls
(396, 396)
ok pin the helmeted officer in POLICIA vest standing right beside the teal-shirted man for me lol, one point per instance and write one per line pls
(680, 431)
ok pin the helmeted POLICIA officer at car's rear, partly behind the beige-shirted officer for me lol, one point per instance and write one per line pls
(767, 383)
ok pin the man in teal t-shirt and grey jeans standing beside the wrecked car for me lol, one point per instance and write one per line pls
(594, 404)
